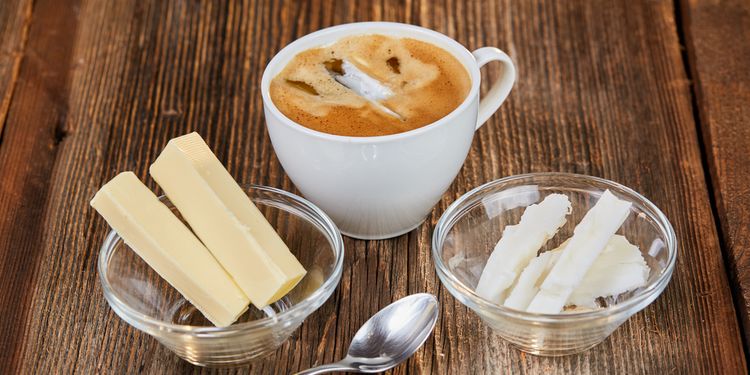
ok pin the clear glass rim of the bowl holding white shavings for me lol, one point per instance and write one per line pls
(468, 296)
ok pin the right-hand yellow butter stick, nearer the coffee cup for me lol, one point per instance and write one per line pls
(224, 218)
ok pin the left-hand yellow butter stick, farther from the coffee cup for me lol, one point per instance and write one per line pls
(168, 246)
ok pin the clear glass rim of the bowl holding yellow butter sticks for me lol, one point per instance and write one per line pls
(316, 299)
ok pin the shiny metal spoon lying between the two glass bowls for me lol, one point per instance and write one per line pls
(388, 337)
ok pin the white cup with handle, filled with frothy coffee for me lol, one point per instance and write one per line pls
(379, 186)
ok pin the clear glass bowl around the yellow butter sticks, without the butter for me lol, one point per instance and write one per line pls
(145, 301)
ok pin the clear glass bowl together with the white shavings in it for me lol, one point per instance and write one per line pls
(471, 228)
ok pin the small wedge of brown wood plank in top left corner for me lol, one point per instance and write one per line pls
(15, 16)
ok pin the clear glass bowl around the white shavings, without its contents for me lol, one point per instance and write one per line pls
(467, 232)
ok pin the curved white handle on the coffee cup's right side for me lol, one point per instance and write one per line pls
(489, 104)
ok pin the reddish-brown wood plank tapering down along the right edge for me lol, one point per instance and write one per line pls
(717, 35)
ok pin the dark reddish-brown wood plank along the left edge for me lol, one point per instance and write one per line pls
(34, 130)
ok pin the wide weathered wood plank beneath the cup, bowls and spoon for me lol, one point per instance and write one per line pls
(602, 90)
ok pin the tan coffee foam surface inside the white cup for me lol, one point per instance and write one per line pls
(424, 83)
